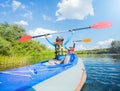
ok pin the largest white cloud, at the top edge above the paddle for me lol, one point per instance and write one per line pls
(74, 9)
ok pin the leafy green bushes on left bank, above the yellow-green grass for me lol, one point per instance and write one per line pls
(10, 45)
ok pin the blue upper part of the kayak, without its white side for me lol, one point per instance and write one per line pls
(25, 78)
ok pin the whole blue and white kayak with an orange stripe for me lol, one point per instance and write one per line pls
(45, 77)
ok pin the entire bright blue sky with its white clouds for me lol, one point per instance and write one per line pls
(49, 16)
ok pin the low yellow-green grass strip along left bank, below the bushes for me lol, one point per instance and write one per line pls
(9, 62)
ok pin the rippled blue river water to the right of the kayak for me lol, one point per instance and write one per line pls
(103, 73)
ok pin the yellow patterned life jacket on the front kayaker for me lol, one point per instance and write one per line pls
(59, 50)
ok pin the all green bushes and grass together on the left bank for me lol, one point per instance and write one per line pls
(15, 54)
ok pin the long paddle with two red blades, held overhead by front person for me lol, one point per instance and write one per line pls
(97, 25)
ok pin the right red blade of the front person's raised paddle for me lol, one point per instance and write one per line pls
(104, 24)
